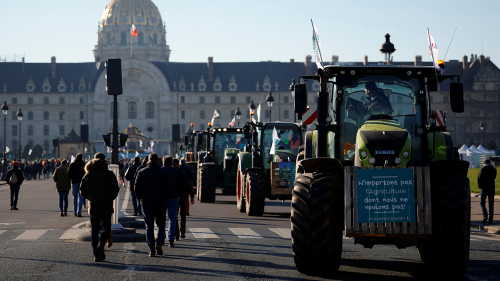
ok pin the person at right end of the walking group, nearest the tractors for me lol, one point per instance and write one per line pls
(187, 189)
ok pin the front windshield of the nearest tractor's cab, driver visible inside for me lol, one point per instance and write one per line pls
(373, 97)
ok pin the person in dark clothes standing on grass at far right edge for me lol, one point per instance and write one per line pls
(486, 182)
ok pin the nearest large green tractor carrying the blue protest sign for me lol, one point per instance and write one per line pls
(377, 168)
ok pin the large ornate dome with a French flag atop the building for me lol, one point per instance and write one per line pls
(115, 39)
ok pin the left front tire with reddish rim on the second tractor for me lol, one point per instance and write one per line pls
(254, 191)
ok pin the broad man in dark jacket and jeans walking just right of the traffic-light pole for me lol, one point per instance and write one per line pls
(153, 187)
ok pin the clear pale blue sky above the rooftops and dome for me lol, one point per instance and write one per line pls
(258, 30)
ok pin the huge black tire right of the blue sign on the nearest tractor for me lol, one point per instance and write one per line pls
(447, 249)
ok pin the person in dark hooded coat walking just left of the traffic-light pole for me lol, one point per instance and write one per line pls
(100, 186)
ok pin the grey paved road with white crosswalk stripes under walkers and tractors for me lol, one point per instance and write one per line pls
(35, 243)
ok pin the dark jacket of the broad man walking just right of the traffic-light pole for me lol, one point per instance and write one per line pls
(153, 185)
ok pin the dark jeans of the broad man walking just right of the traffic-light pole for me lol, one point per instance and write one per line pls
(154, 212)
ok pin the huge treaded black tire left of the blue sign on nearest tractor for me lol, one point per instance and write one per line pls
(317, 223)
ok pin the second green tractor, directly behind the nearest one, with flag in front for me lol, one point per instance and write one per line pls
(262, 175)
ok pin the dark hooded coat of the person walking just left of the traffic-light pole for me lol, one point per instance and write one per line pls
(100, 187)
